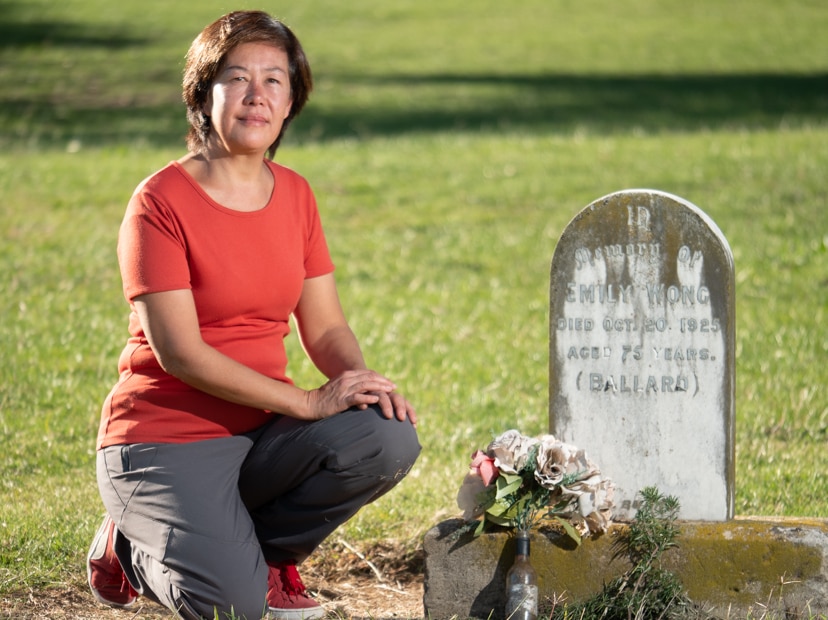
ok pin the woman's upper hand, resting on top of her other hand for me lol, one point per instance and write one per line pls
(352, 388)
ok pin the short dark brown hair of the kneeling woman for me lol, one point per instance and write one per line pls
(209, 51)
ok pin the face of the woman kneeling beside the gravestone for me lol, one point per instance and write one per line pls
(249, 100)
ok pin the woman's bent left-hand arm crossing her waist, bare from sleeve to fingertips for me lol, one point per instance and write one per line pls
(170, 323)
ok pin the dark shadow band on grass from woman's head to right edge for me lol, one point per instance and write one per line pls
(595, 103)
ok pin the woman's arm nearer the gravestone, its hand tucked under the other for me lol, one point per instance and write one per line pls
(331, 344)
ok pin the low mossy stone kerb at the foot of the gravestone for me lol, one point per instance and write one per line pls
(744, 567)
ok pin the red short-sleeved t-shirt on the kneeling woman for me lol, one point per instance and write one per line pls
(245, 270)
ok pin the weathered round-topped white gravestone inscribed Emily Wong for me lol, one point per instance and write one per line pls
(641, 370)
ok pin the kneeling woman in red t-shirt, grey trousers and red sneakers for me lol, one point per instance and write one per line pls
(218, 474)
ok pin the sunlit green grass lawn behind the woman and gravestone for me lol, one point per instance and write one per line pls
(449, 144)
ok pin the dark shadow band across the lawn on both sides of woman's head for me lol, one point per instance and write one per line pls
(443, 103)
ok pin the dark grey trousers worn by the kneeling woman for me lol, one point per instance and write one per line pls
(197, 522)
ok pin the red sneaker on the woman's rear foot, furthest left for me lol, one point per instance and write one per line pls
(106, 578)
